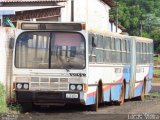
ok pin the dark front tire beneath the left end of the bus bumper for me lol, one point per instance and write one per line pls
(26, 107)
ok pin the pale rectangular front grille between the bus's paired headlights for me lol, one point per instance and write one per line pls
(52, 84)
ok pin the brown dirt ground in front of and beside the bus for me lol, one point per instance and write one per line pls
(131, 110)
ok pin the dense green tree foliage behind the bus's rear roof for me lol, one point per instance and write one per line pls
(139, 17)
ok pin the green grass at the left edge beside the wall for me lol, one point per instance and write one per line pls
(3, 105)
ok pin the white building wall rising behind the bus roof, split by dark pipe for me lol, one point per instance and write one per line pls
(93, 12)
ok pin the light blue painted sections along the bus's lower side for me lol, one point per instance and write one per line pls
(115, 90)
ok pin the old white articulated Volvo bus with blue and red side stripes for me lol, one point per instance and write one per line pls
(59, 63)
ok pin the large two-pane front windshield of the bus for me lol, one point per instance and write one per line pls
(50, 50)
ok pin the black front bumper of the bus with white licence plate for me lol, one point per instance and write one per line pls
(48, 97)
